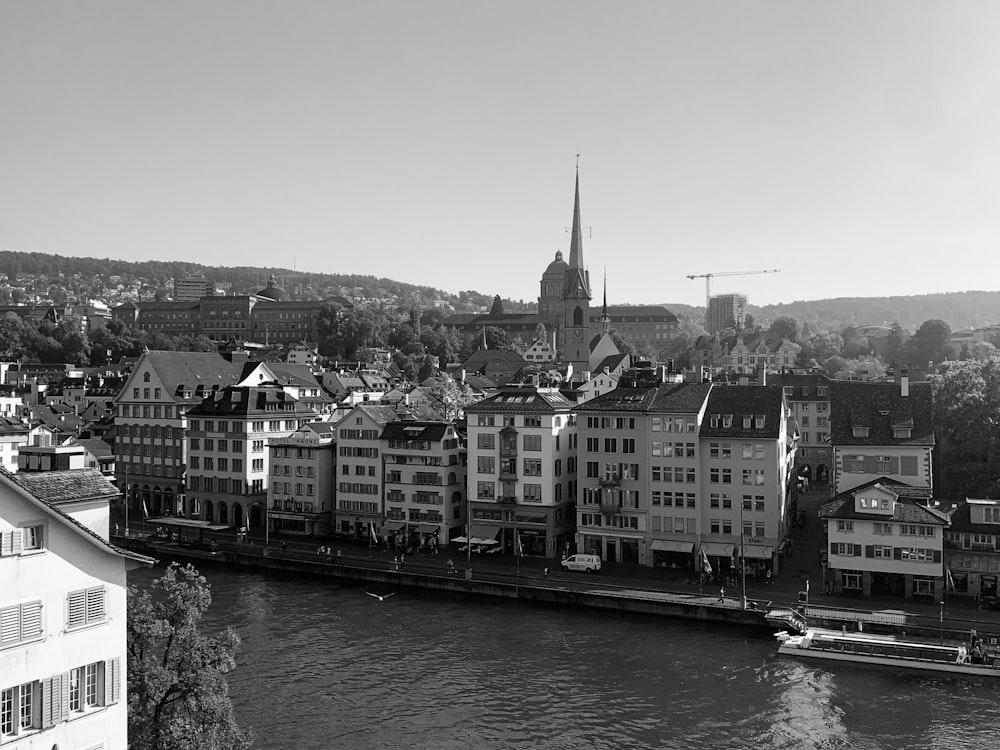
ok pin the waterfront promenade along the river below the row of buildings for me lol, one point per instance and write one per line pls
(630, 582)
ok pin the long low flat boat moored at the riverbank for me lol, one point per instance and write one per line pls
(867, 648)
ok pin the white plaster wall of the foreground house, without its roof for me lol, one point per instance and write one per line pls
(68, 562)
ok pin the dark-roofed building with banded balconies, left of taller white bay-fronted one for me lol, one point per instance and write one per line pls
(425, 480)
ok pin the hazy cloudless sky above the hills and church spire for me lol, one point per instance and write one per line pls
(854, 145)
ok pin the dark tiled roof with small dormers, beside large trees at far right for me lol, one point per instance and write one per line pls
(880, 407)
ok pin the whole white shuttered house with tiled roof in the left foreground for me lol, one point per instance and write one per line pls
(62, 616)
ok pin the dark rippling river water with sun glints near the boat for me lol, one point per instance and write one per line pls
(327, 666)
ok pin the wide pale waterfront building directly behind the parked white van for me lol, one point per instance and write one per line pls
(639, 497)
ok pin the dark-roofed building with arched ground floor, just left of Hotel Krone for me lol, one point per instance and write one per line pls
(227, 440)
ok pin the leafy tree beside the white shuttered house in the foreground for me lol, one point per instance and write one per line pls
(178, 693)
